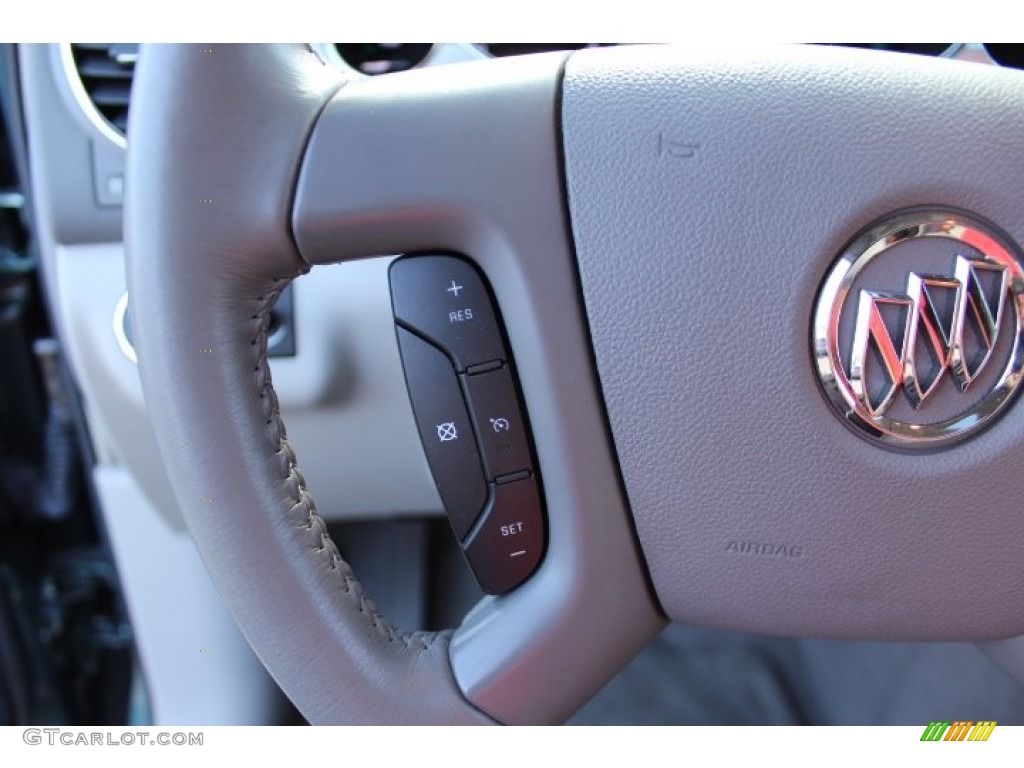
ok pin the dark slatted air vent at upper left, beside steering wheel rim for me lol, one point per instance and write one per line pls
(106, 70)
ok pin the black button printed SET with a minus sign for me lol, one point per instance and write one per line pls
(508, 545)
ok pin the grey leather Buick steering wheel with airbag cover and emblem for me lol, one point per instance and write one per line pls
(677, 243)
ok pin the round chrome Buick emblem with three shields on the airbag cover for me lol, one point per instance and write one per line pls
(918, 329)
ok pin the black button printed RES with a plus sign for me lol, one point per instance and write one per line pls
(444, 300)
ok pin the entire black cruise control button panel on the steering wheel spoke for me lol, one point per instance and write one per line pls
(467, 407)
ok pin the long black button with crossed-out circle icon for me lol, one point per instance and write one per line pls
(445, 431)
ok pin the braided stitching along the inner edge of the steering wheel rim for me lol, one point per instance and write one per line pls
(304, 500)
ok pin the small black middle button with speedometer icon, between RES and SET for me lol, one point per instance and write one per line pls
(499, 422)
